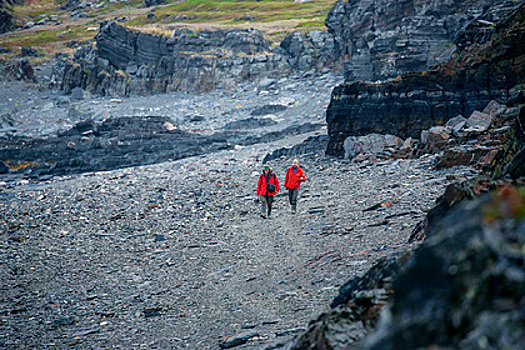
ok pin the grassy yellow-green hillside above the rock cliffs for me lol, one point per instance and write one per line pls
(55, 26)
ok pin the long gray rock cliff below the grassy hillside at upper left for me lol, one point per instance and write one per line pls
(130, 62)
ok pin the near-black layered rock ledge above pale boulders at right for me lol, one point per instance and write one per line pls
(417, 101)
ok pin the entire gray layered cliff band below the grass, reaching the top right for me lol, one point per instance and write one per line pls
(373, 39)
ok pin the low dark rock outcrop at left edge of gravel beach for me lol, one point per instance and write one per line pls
(114, 143)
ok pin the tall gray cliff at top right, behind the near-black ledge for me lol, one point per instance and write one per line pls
(381, 39)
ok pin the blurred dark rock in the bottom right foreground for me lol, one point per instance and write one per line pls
(459, 292)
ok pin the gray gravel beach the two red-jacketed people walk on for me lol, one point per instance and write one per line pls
(174, 255)
